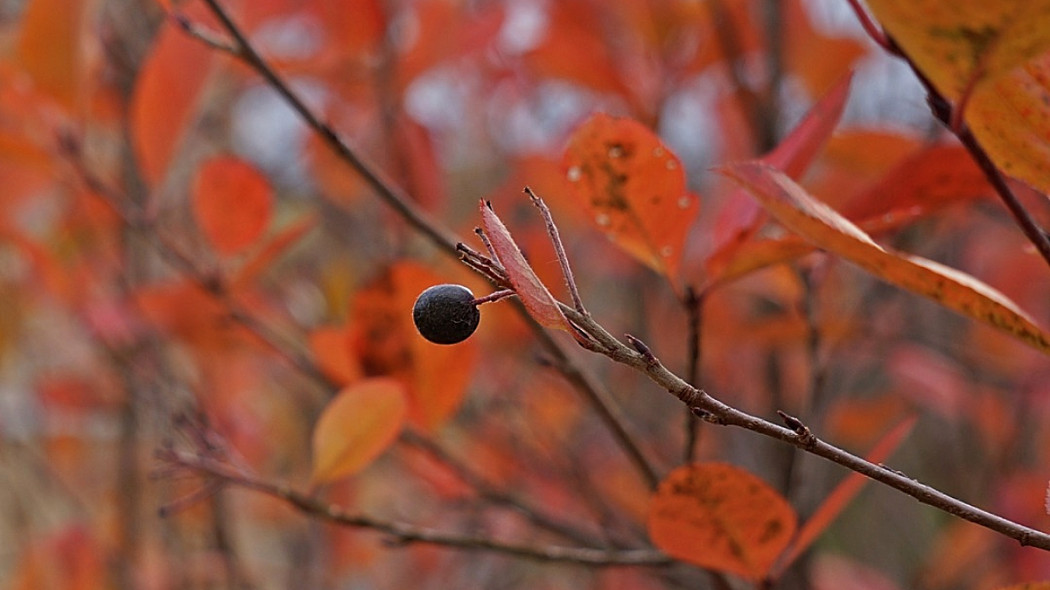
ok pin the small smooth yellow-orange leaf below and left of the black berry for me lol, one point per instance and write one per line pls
(356, 427)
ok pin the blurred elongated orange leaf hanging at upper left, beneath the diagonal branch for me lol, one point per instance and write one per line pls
(165, 98)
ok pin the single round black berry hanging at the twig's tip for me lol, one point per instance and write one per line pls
(446, 314)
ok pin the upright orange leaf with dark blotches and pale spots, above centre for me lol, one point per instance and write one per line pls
(635, 188)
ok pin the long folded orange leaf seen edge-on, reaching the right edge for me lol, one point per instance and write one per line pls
(801, 213)
